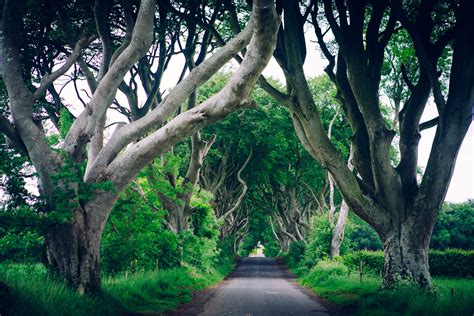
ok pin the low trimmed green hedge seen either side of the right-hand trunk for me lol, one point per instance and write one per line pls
(450, 262)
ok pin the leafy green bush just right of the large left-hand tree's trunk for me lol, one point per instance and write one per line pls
(135, 238)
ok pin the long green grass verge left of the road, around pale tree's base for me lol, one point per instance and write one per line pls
(31, 291)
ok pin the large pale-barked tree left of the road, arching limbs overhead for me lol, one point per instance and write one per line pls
(83, 176)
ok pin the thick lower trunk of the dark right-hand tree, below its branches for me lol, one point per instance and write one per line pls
(406, 255)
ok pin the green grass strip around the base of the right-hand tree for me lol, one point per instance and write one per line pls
(453, 296)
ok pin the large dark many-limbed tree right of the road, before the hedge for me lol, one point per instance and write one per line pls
(388, 196)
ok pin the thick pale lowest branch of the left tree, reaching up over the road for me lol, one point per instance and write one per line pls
(264, 24)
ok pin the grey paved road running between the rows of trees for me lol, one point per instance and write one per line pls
(259, 287)
